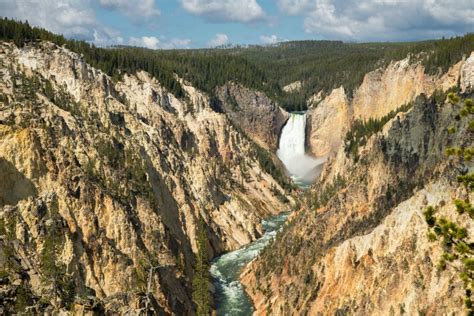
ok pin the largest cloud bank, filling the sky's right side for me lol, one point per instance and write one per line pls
(382, 19)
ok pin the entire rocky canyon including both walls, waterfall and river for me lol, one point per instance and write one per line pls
(113, 184)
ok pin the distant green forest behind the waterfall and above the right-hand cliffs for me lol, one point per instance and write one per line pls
(325, 65)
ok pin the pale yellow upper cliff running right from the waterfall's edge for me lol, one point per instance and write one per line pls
(382, 91)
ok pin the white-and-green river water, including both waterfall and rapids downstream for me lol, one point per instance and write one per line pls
(230, 297)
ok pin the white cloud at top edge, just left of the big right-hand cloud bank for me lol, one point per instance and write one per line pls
(225, 10)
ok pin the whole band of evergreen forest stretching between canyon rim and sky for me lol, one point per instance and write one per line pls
(320, 65)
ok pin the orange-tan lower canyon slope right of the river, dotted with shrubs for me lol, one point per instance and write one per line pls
(361, 248)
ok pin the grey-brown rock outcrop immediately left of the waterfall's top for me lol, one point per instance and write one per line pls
(258, 116)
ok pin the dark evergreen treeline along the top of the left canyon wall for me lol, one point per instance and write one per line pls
(205, 71)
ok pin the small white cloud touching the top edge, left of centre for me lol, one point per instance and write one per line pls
(135, 9)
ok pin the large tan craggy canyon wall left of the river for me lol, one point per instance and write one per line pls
(105, 183)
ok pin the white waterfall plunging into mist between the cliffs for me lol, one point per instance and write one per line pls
(291, 151)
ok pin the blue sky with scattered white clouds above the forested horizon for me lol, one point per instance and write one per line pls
(167, 24)
